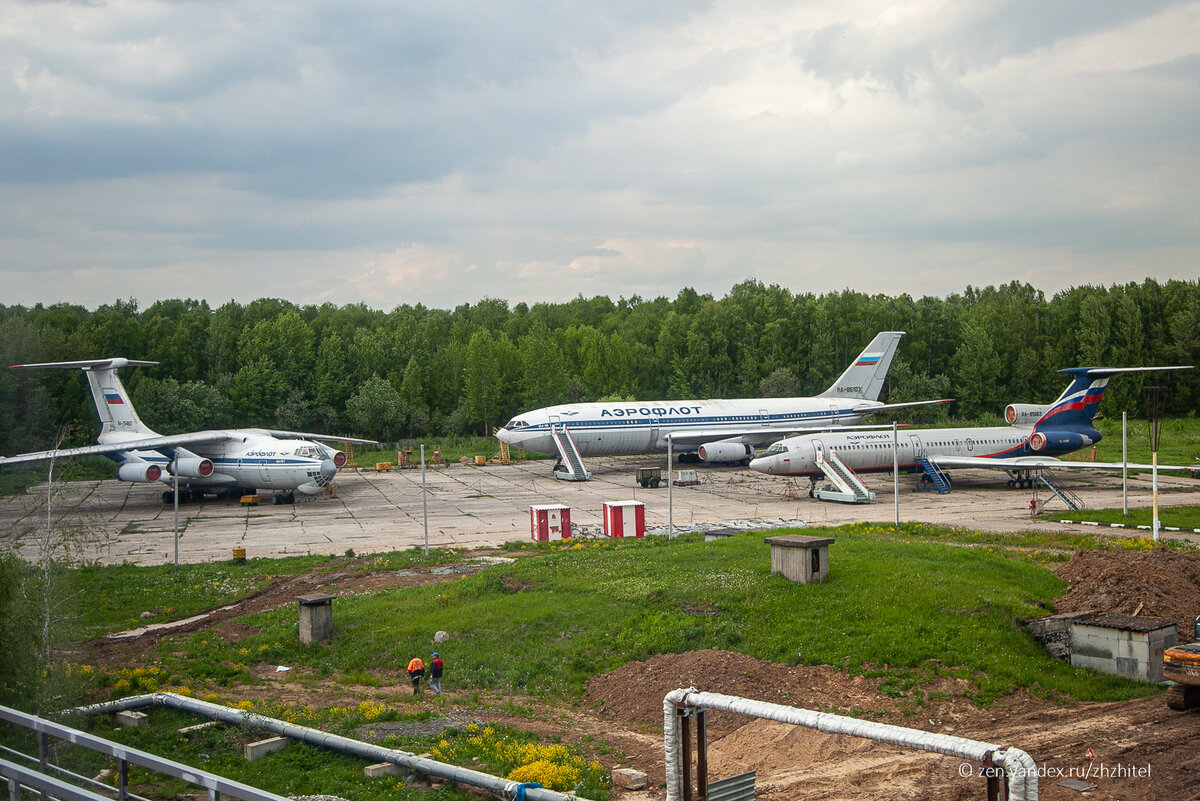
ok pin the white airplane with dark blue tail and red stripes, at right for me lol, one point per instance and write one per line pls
(1033, 441)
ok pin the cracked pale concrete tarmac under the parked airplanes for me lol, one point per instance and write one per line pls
(112, 522)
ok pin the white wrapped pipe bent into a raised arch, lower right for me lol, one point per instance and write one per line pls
(1019, 767)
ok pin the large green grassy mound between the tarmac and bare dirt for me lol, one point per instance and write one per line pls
(896, 600)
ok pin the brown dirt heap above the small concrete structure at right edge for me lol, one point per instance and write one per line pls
(1165, 583)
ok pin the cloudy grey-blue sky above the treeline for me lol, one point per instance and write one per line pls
(398, 153)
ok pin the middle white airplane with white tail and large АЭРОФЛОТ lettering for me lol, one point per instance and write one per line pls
(718, 431)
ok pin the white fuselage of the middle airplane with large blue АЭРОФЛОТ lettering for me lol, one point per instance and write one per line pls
(644, 427)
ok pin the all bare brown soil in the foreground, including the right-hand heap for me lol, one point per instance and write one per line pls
(1131, 751)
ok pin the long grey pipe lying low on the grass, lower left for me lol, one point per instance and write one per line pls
(327, 740)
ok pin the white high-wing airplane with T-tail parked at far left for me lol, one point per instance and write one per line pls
(231, 462)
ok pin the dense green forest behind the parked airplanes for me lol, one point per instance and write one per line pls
(418, 371)
